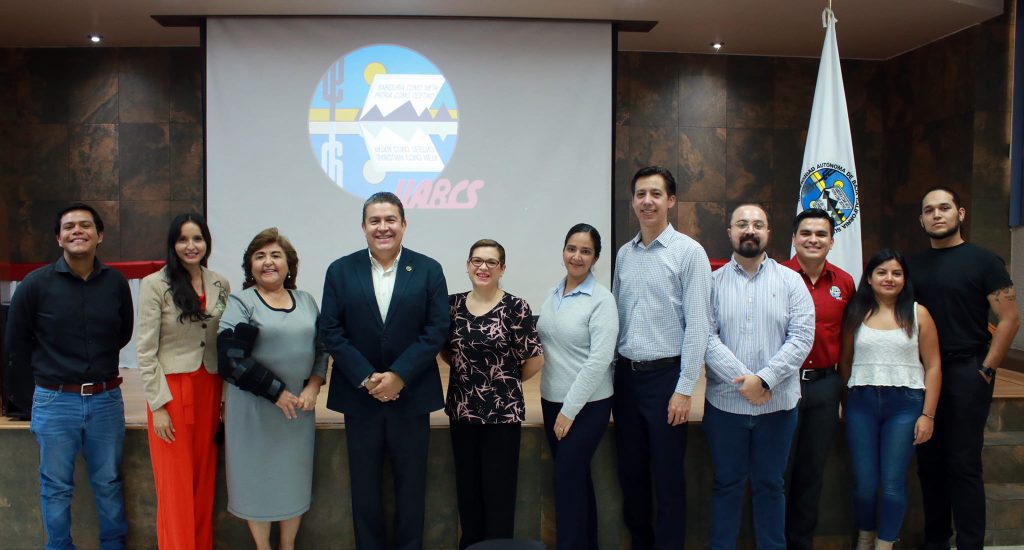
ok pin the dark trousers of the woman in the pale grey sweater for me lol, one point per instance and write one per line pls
(576, 506)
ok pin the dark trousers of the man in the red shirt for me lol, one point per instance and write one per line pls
(818, 421)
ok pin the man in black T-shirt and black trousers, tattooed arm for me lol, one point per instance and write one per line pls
(959, 283)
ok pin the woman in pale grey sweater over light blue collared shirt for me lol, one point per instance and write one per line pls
(579, 326)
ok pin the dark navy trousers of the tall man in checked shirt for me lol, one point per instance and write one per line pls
(651, 450)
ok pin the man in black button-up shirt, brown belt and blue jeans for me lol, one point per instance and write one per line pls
(68, 323)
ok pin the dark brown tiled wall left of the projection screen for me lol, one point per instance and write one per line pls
(120, 130)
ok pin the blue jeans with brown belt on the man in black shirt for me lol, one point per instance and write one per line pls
(64, 425)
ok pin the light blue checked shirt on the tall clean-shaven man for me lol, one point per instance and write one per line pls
(664, 297)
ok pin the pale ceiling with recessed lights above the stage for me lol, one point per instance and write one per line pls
(868, 29)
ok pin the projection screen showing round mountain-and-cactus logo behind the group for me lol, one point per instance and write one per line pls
(497, 130)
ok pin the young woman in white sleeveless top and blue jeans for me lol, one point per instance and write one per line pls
(891, 363)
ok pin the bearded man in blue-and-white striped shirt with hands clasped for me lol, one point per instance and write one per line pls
(762, 331)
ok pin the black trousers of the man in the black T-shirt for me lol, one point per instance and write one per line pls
(950, 464)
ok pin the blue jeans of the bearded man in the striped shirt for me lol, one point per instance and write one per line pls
(749, 447)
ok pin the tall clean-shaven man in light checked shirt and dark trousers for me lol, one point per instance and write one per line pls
(663, 288)
